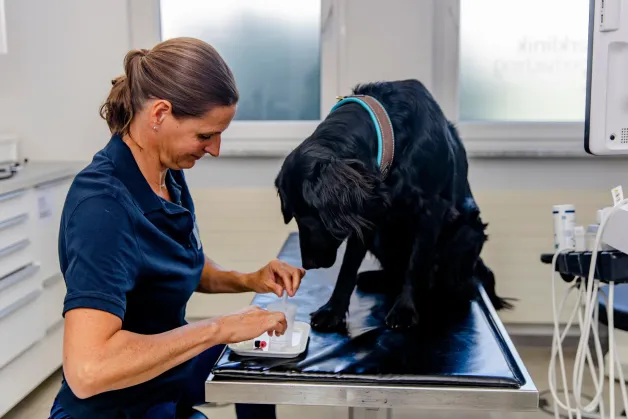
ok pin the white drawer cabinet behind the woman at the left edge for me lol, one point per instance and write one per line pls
(31, 285)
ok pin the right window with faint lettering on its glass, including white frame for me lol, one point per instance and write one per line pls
(512, 74)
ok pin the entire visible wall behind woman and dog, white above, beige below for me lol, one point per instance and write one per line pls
(64, 53)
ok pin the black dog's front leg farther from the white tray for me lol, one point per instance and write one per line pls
(416, 276)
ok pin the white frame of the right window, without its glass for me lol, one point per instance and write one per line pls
(492, 139)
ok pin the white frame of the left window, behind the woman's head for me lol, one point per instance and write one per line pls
(260, 138)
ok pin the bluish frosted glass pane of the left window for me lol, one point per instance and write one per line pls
(272, 46)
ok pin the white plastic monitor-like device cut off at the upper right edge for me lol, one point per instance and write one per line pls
(606, 117)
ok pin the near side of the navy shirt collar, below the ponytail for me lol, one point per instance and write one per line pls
(129, 173)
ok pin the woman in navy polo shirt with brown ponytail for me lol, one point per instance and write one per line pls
(130, 250)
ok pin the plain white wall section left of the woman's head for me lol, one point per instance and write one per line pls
(62, 57)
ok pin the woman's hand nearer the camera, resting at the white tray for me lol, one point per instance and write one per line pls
(249, 324)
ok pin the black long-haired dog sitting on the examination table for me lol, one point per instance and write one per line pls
(421, 223)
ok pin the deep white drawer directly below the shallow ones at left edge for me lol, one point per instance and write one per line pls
(21, 326)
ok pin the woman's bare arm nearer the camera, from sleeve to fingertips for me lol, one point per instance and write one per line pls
(98, 356)
